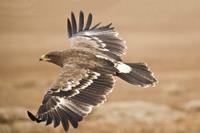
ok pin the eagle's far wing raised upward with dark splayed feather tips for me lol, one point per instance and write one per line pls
(100, 38)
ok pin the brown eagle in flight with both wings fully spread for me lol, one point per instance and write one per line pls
(87, 73)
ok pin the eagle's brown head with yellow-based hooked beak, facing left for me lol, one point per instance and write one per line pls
(53, 57)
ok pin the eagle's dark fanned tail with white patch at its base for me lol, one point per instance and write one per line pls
(136, 74)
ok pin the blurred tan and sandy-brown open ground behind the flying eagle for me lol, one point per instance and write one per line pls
(166, 34)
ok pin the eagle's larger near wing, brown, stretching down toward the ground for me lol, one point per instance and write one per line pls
(72, 96)
